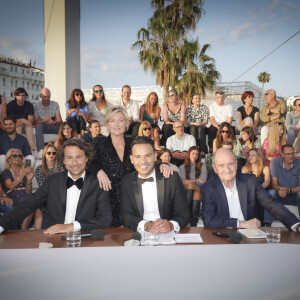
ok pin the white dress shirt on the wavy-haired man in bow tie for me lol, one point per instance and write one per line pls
(73, 194)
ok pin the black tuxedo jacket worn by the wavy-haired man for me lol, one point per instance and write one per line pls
(93, 210)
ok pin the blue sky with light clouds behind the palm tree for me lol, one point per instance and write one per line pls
(240, 34)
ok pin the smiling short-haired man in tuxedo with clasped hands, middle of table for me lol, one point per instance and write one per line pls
(149, 201)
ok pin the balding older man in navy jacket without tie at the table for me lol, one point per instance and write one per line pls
(230, 198)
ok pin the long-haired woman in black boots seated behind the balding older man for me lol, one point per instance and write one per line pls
(193, 174)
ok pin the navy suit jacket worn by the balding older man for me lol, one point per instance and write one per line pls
(215, 211)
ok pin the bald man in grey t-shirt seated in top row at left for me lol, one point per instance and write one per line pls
(47, 118)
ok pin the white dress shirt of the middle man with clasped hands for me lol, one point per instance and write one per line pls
(150, 203)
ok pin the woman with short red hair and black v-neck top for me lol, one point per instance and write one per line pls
(247, 115)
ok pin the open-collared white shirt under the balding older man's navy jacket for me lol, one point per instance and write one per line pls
(234, 205)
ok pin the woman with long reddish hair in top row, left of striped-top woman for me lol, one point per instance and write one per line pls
(150, 112)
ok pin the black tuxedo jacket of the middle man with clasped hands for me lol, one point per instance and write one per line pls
(171, 197)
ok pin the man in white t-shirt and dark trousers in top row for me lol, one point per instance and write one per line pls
(219, 112)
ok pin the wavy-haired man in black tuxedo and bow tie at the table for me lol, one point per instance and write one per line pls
(73, 198)
